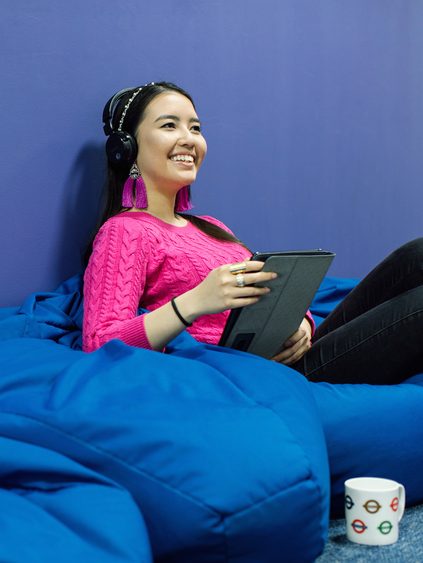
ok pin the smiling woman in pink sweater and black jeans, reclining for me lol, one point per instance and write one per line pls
(190, 271)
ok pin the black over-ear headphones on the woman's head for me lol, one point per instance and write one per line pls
(121, 147)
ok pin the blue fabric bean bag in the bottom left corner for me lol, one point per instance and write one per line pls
(54, 509)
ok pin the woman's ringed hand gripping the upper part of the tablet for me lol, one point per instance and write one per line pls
(219, 290)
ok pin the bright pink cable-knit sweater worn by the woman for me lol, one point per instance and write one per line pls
(140, 261)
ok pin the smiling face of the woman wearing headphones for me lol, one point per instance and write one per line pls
(171, 145)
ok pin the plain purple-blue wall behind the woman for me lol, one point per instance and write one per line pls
(312, 112)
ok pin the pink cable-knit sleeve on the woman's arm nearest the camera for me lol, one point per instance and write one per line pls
(113, 284)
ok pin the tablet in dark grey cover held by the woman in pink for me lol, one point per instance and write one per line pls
(263, 328)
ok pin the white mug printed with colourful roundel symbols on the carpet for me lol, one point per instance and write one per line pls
(373, 509)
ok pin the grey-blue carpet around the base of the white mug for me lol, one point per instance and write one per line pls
(408, 549)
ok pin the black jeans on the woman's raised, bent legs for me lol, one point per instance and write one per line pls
(375, 335)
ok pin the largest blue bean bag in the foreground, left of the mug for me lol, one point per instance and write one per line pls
(223, 452)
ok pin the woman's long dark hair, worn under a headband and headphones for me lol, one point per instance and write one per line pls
(116, 175)
